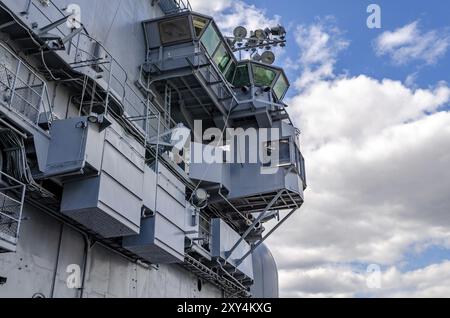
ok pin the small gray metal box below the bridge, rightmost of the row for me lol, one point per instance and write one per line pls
(223, 238)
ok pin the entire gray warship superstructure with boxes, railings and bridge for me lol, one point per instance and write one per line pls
(99, 193)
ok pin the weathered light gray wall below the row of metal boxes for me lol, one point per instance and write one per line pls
(31, 270)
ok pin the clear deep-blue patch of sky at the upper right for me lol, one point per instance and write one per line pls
(351, 19)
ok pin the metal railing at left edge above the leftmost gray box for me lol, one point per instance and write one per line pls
(22, 90)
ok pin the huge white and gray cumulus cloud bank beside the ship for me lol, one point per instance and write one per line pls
(377, 158)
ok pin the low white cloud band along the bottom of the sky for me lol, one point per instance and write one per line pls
(345, 281)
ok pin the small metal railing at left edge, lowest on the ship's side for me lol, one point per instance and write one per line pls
(12, 196)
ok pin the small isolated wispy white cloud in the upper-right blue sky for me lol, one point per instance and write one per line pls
(410, 43)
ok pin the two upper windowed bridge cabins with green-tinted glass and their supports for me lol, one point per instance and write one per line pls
(190, 62)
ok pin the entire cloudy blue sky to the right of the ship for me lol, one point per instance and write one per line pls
(373, 107)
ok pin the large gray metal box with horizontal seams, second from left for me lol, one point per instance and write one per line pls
(111, 203)
